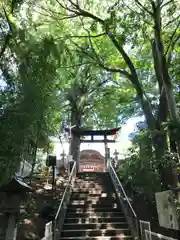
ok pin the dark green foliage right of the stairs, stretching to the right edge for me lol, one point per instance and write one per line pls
(142, 172)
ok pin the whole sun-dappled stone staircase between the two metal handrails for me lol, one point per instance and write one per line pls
(94, 212)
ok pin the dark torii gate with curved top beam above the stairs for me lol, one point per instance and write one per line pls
(94, 133)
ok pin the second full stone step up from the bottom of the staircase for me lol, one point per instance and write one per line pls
(84, 226)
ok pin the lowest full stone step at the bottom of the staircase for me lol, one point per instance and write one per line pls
(95, 232)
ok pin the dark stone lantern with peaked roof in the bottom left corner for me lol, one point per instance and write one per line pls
(11, 196)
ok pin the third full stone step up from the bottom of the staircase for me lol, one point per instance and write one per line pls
(96, 220)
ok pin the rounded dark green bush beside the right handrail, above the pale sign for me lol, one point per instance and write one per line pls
(138, 174)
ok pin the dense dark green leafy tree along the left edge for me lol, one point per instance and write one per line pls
(28, 99)
